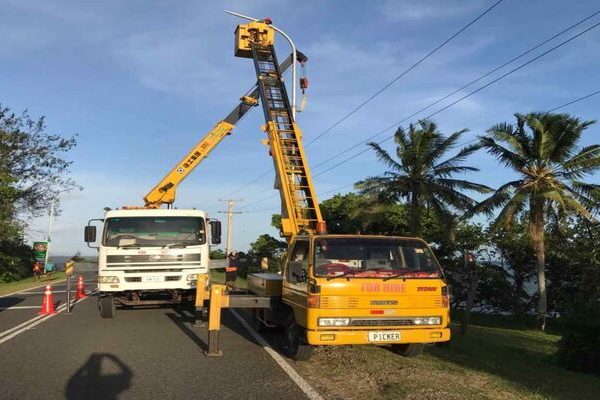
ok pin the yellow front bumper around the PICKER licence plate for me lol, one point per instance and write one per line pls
(336, 337)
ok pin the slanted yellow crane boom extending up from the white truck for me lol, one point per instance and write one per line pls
(164, 192)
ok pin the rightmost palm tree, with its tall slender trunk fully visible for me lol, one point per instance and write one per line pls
(542, 149)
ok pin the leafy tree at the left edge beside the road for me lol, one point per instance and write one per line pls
(32, 170)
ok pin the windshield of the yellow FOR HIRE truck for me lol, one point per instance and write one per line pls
(374, 257)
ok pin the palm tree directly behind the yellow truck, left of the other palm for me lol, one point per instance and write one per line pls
(420, 177)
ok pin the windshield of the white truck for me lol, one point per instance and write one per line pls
(154, 231)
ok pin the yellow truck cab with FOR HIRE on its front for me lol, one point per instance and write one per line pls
(355, 289)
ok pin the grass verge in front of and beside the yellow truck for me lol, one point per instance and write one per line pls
(486, 363)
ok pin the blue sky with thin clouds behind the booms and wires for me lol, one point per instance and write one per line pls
(140, 82)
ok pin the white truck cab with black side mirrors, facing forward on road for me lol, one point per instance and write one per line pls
(151, 256)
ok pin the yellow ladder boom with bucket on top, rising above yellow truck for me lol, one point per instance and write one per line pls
(300, 212)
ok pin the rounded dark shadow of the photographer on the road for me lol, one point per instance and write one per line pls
(89, 382)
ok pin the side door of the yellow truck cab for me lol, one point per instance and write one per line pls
(294, 281)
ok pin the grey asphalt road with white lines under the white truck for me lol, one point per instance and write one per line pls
(151, 353)
